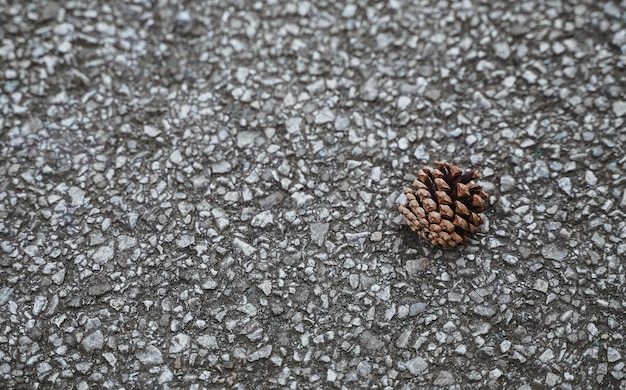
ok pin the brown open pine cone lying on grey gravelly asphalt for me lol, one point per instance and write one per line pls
(444, 204)
